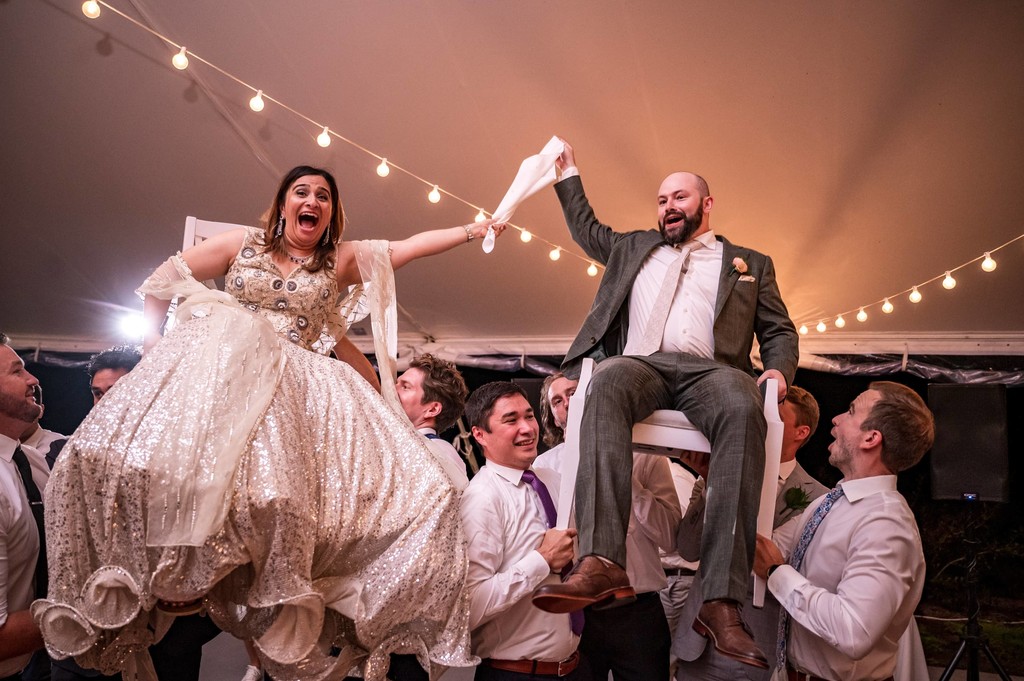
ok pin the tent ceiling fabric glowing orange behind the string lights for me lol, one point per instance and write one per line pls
(867, 147)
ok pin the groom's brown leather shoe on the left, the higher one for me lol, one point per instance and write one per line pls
(595, 581)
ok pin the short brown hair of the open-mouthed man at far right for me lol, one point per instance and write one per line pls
(907, 425)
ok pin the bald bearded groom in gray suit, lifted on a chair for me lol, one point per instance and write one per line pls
(672, 327)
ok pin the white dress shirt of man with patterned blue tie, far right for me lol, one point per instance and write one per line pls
(859, 586)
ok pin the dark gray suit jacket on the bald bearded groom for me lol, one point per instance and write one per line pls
(741, 312)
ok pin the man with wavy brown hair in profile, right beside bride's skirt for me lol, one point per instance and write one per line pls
(433, 394)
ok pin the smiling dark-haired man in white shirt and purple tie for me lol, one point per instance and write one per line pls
(508, 514)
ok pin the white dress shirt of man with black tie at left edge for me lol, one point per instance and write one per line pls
(19, 540)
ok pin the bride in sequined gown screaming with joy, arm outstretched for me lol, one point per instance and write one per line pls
(236, 466)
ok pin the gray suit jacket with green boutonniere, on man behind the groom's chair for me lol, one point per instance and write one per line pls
(690, 647)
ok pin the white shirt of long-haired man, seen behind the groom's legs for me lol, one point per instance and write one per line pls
(654, 522)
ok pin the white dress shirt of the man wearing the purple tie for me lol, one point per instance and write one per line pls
(505, 524)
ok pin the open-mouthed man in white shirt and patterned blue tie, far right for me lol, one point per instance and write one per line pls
(856, 568)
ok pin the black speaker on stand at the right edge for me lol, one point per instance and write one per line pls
(970, 456)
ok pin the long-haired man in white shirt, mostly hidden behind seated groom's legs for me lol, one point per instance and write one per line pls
(631, 642)
